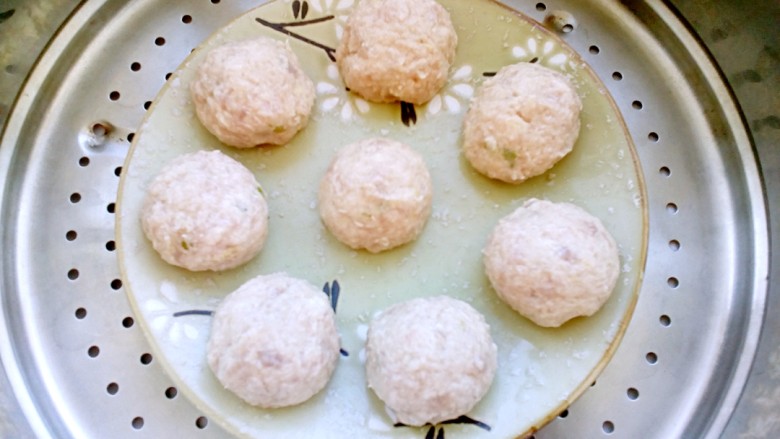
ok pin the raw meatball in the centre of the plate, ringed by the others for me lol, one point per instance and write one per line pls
(376, 195)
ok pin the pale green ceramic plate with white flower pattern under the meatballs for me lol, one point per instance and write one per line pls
(540, 370)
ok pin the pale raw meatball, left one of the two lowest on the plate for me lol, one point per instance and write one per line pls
(274, 341)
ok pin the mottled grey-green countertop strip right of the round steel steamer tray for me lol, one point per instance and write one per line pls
(744, 38)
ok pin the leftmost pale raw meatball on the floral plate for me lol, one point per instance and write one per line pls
(205, 211)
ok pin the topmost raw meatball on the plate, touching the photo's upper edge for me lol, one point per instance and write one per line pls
(397, 50)
